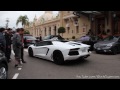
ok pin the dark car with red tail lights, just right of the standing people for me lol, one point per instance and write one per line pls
(29, 40)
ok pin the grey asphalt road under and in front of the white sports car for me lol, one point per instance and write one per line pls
(96, 66)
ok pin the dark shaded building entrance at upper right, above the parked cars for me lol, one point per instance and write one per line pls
(103, 22)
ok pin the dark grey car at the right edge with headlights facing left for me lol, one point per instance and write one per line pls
(110, 44)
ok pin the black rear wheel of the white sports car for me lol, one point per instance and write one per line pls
(58, 57)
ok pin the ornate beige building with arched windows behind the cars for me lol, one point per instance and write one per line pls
(48, 24)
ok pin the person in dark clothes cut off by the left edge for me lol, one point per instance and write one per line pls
(2, 40)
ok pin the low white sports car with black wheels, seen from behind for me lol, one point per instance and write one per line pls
(59, 51)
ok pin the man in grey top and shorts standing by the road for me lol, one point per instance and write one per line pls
(17, 44)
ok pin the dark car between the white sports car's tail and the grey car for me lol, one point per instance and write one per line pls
(89, 40)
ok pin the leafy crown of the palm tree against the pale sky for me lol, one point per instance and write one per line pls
(23, 19)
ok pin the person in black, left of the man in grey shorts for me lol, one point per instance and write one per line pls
(8, 44)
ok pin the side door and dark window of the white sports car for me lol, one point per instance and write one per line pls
(42, 48)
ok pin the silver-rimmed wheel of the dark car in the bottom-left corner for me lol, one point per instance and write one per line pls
(3, 71)
